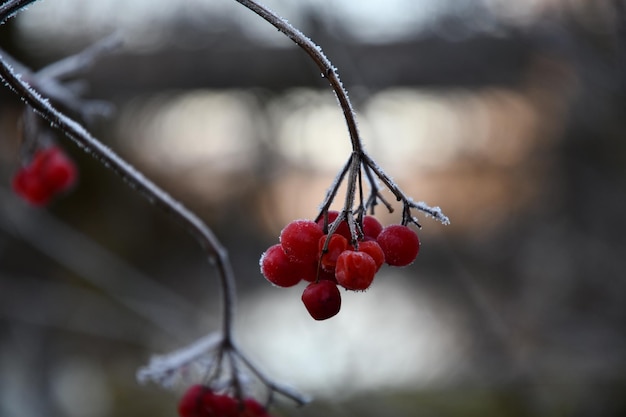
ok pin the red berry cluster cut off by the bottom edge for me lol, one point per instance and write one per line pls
(201, 401)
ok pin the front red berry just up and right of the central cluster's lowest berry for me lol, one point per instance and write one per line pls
(355, 270)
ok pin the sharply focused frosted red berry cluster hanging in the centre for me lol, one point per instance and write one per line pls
(306, 253)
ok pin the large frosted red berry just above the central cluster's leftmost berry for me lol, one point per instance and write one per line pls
(300, 240)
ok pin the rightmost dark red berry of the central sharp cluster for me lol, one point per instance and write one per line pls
(399, 243)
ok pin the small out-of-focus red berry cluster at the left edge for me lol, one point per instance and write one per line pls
(49, 173)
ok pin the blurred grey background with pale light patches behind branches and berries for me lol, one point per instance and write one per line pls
(508, 115)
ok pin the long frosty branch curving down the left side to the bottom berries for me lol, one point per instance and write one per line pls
(16, 77)
